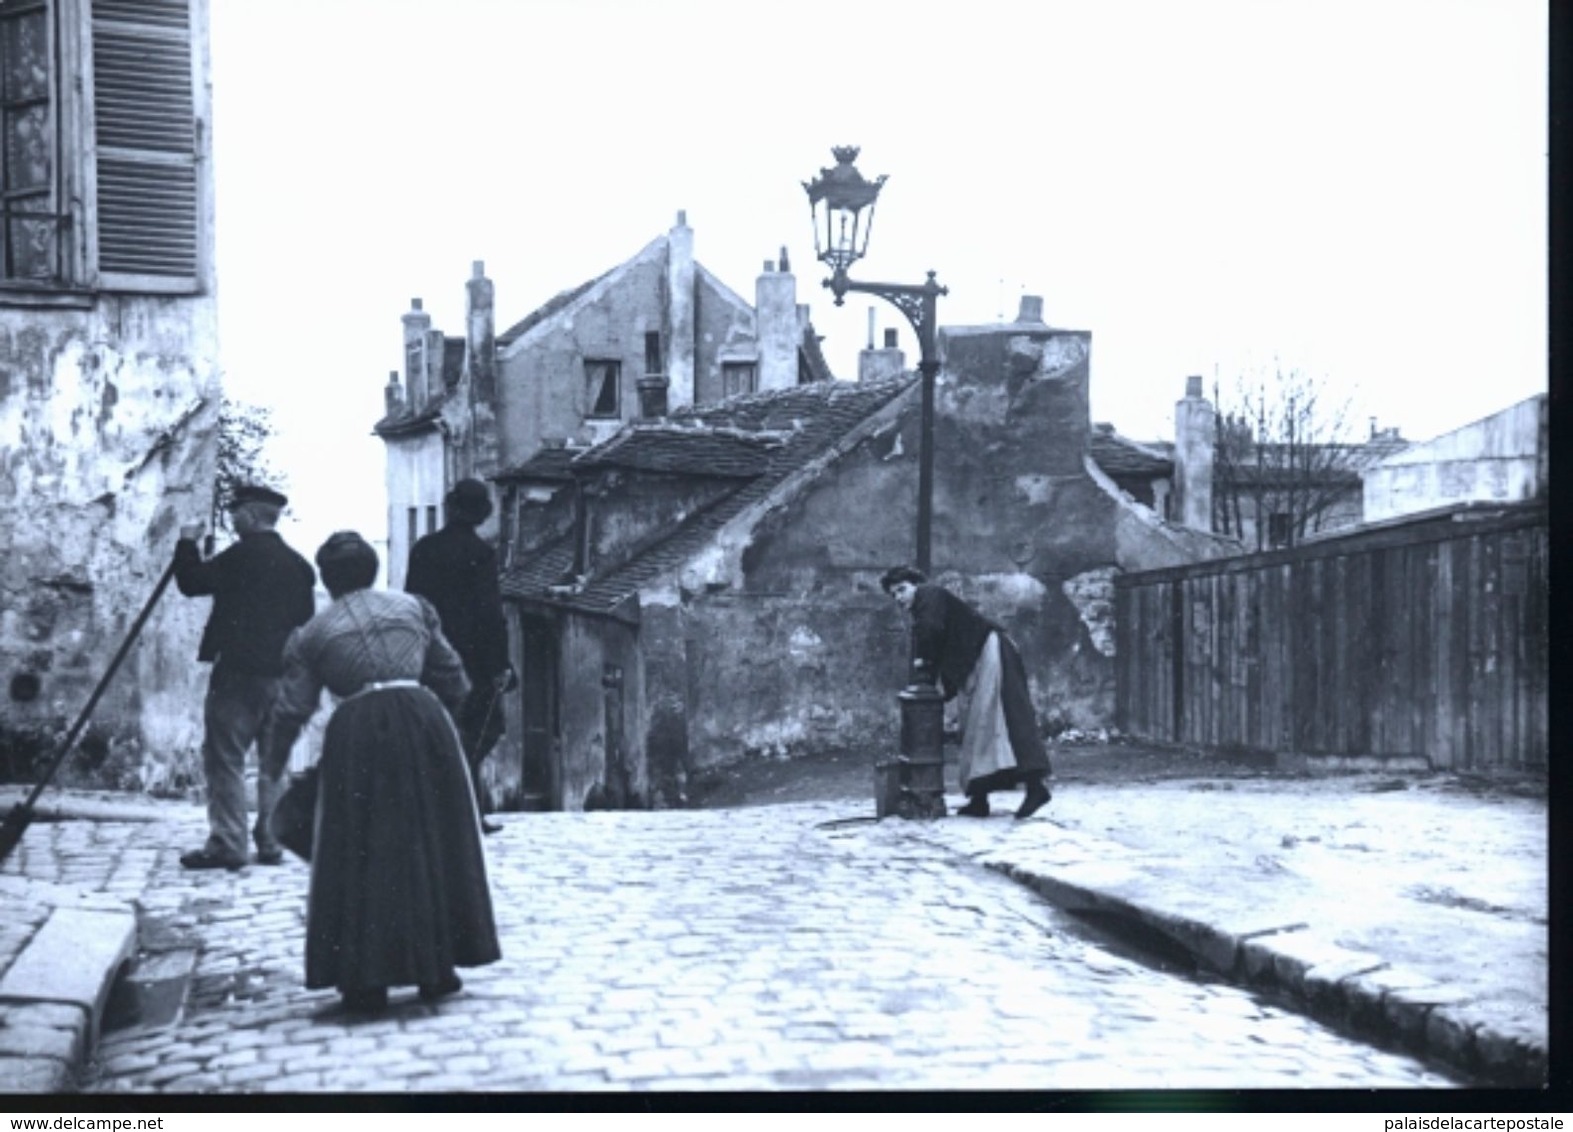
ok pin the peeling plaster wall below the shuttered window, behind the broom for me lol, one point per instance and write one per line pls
(108, 446)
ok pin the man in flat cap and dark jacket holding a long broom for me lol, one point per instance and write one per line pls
(262, 590)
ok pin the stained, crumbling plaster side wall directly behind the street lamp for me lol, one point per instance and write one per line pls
(1025, 527)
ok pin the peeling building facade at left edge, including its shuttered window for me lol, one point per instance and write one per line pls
(109, 378)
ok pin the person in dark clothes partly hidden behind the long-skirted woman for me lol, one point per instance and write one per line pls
(457, 572)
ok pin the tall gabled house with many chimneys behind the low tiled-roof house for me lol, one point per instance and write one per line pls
(657, 333)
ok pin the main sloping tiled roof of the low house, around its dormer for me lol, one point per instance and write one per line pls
(814, 417)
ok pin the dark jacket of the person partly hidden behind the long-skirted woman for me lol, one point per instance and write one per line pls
(457, 572)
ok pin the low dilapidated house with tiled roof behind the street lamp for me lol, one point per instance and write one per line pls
(702, 587)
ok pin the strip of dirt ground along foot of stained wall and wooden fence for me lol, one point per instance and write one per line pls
(849, 776)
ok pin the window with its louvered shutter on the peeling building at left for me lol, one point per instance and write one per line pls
(127, 215)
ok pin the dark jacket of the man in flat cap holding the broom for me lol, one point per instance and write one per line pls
(262, 590)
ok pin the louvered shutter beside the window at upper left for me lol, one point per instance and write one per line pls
(147, 147)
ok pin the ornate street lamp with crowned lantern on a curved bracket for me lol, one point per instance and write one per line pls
(913, 785)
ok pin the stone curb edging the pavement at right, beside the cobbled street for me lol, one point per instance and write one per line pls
(1347, 990)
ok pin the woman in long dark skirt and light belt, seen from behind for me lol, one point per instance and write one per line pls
(399, 877)
